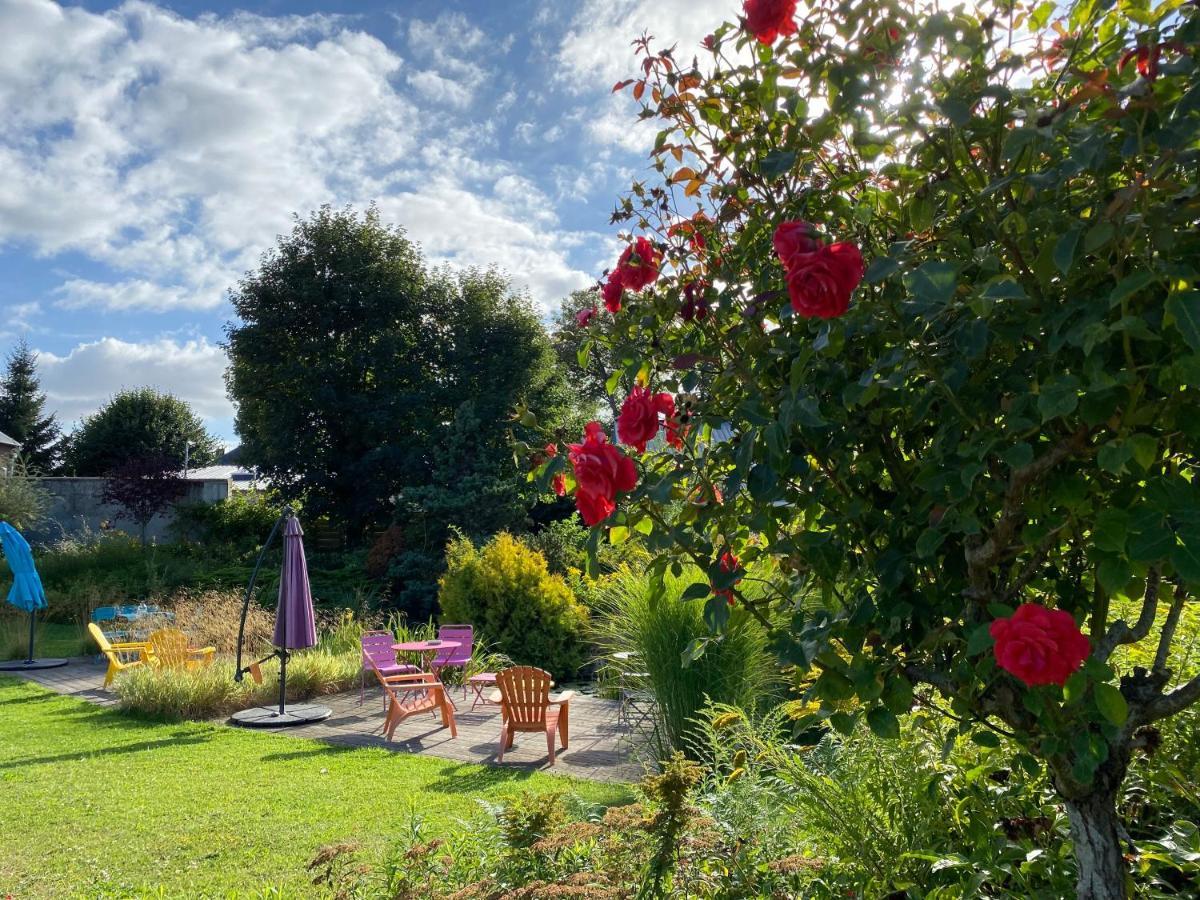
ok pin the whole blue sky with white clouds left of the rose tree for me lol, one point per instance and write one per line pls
(152, 152)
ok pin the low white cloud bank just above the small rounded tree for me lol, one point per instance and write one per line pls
(80, 382)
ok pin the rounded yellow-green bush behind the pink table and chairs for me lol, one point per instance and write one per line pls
(506, 591)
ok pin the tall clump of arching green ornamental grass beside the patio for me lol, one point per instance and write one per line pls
(739, 669)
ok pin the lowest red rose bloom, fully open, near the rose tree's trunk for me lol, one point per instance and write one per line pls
(1040, 646)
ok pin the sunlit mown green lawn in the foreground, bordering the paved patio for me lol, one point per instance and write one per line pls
(94, 803)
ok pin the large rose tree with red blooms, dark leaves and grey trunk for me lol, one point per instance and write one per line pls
(981, 458)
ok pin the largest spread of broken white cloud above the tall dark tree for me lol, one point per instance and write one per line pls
(172, 152)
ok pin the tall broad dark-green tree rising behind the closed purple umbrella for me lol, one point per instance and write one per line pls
(357, 370)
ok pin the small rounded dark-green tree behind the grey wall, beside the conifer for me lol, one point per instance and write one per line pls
(139, 424)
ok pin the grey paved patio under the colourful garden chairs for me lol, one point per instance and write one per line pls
(601, 749)
